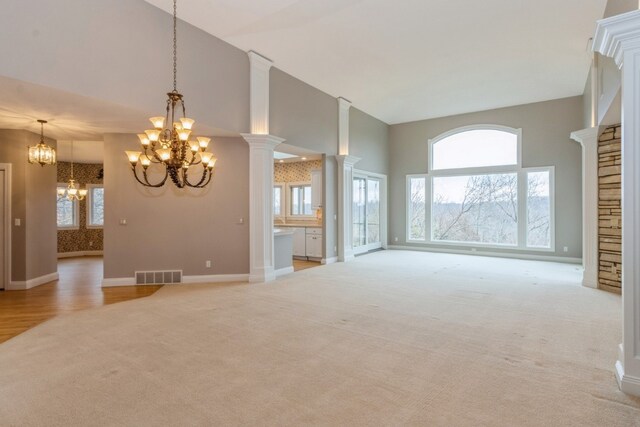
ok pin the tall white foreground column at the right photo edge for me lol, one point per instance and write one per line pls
(619, 37)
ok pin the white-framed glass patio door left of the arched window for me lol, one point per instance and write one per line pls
(369, 212)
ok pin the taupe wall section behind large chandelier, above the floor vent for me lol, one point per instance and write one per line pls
(176, 229)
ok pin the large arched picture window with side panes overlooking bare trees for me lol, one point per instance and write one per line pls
(477, 193)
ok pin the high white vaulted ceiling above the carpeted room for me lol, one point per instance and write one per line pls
(409, 60)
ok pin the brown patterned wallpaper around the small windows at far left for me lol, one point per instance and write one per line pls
(79, 240)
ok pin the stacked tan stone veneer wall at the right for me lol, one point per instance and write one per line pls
(610, 209)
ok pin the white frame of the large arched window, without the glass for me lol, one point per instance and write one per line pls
(522, 174)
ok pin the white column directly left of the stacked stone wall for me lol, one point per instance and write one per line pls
(588, 139)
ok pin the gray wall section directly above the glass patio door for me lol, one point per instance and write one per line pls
(369, 140)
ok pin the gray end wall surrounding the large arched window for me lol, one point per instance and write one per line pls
(545, 142)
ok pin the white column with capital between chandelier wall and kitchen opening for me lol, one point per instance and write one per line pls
(261, 262)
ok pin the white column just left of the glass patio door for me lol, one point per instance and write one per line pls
(345, 202)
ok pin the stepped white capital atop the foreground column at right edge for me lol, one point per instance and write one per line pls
(616, 34)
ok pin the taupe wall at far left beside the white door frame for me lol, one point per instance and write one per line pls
(33, 201)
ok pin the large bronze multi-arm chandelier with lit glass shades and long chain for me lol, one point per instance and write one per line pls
(168, 144)
